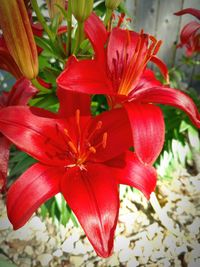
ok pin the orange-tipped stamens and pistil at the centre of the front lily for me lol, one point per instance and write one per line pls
(80, 150)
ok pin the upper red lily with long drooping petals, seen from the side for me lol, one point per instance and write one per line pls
(119, 71)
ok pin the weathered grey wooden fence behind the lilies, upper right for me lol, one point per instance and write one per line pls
(156, 17)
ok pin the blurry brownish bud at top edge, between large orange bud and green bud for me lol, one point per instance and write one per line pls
(54, 9)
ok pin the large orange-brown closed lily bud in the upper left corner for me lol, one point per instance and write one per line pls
(18, 35)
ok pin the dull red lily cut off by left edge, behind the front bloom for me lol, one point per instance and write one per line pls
(20, 94)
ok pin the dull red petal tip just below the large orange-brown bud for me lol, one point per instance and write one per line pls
(21, 92)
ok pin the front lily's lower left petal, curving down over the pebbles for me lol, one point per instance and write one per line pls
(30, 190)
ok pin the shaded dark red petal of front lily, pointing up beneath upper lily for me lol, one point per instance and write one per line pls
(71, 101)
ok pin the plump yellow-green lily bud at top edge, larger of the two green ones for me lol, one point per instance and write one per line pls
(81, 9)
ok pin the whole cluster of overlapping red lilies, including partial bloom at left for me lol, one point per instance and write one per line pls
(86, 157)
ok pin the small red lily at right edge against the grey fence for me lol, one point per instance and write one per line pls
(190, 34)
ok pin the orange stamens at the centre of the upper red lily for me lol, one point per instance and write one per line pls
(133, 67)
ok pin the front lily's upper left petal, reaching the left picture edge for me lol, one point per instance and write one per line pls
(42, 138)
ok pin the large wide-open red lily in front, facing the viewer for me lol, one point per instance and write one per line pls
(81, 157)
